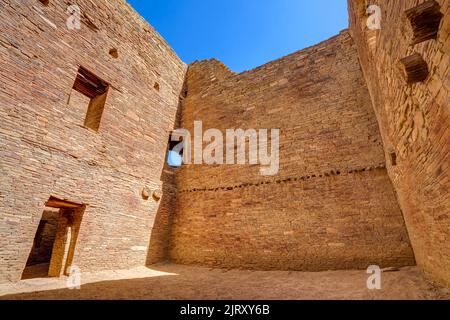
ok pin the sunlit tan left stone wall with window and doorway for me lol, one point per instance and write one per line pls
(46, 151)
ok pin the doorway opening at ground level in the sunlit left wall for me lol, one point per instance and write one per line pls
(53, 247)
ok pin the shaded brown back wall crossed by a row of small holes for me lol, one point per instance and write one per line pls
(331, 205)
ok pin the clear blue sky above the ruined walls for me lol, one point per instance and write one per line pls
(243, 34)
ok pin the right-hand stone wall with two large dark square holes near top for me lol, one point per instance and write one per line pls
(414, 118)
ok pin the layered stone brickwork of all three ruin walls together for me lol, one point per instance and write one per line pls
(86, 116)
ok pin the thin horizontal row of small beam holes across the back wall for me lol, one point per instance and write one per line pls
(288, 180)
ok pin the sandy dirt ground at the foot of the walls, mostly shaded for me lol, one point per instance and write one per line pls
(195, 283)
